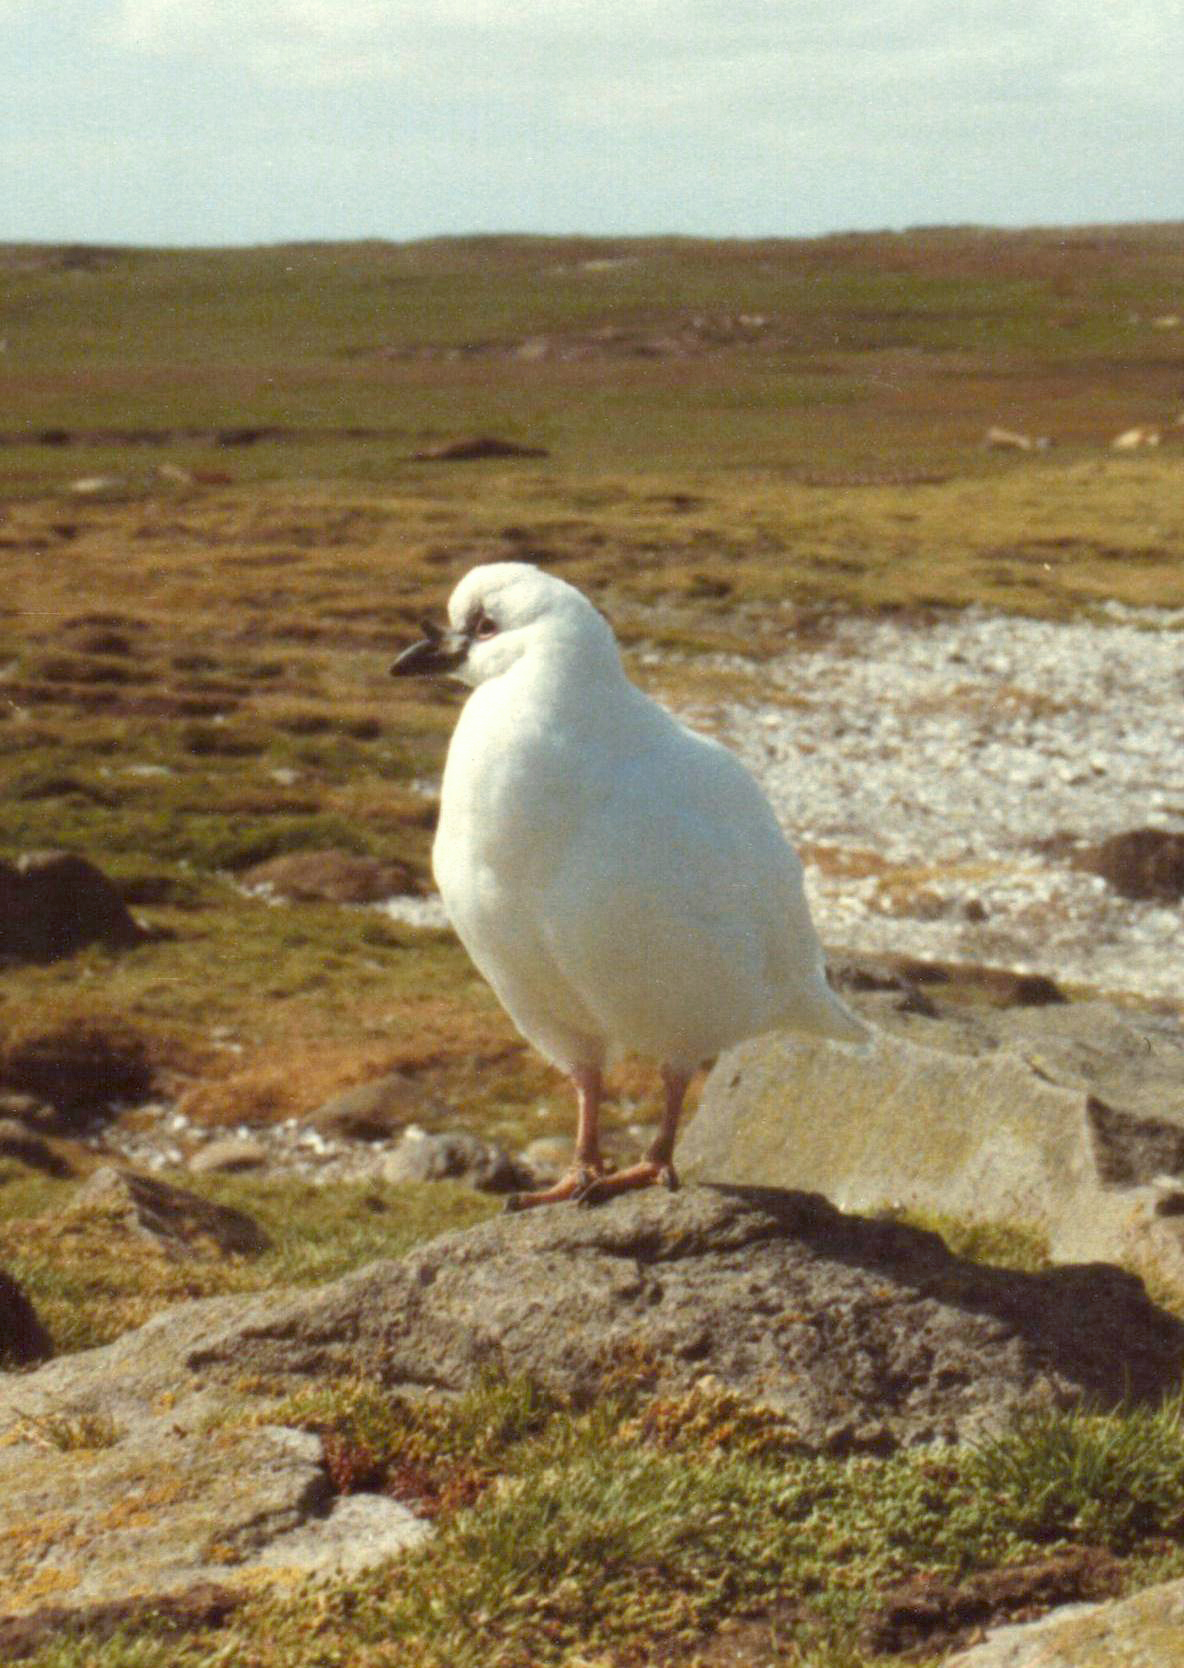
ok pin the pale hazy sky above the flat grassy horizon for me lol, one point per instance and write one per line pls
(211, 123)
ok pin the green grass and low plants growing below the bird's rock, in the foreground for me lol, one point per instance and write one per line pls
(628, 1532)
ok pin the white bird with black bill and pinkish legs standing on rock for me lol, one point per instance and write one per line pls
(621, 882)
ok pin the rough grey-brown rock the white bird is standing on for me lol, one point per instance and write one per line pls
(843, 1322)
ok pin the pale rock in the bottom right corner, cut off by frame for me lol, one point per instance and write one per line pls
(1140, 1632)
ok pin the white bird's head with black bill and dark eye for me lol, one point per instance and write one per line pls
(501, 613)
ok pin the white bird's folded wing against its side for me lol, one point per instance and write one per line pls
(680, 913)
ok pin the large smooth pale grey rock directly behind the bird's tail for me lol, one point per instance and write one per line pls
(1066, 1117)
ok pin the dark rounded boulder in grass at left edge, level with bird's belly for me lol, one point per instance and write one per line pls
(54, 903)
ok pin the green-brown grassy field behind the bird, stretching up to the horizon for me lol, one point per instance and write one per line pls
(738, 436)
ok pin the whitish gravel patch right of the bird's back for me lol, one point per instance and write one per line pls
(940, 776)
